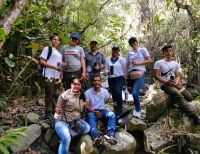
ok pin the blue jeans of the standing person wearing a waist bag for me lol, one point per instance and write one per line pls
(136, 86)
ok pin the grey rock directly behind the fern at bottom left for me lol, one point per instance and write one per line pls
(32, 133)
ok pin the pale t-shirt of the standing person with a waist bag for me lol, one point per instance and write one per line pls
(139, 55)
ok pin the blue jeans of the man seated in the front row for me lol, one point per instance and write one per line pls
(111, 125)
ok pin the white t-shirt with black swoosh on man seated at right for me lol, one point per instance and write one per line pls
(167, 68)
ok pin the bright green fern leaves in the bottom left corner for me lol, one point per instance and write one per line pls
(9, 138)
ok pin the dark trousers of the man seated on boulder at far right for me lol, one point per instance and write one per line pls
(181, 98)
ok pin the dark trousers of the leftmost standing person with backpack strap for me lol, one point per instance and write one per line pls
(51, 95)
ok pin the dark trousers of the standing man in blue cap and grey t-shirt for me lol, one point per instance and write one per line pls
(67, 78)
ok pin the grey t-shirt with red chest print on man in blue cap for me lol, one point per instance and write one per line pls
(72, 56)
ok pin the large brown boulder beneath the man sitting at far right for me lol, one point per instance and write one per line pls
(157, 106)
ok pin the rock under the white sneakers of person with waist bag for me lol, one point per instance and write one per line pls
(135, 124)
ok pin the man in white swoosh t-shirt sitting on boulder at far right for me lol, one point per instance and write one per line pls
(168, 72)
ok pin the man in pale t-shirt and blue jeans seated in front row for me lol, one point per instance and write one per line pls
(96, 97)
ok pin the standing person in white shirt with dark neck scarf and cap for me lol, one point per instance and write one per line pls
(115, 69)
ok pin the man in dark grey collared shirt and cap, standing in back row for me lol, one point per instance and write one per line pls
(95, 62)
